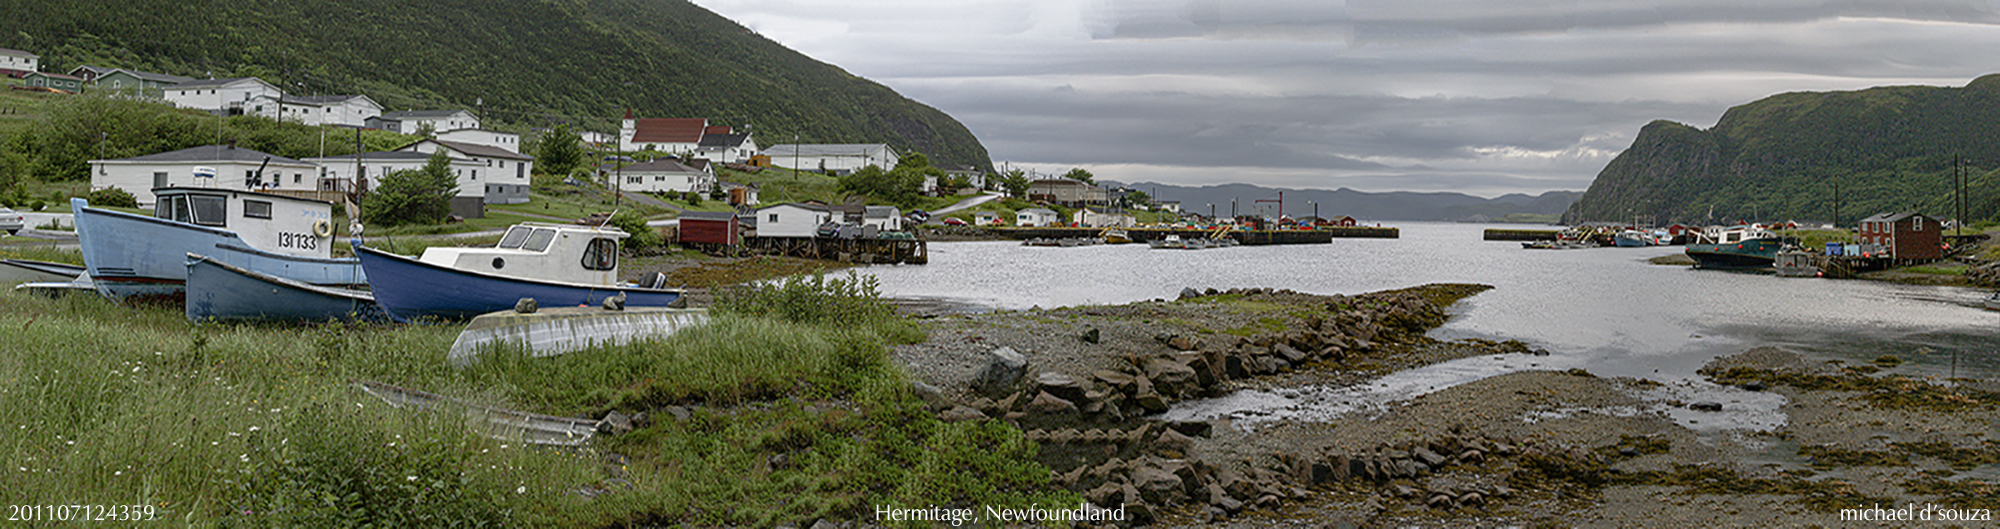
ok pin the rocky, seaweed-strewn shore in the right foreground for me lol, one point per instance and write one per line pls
(1535, 448)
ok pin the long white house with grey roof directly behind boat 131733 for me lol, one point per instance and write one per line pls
(233, 169)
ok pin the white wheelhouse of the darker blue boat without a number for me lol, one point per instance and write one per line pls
(559, 253)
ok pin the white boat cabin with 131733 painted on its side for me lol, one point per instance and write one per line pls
(271, 223)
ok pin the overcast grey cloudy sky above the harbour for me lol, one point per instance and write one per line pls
(1371, 95)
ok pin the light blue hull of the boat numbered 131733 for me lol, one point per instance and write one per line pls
(143, 257)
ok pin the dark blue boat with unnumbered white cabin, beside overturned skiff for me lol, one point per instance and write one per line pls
(557, 266)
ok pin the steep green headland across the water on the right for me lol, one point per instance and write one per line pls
(1783, 157)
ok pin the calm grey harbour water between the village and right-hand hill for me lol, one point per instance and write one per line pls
(1601, 310)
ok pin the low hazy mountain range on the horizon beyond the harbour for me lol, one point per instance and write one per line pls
(1399, 205)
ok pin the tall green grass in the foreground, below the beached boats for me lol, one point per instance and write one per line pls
(263, 426)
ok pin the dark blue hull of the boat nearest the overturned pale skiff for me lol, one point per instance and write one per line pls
(411, 290)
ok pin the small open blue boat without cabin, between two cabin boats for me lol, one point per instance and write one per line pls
(221, 292)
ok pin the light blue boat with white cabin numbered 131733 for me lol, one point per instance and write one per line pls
(135, 255)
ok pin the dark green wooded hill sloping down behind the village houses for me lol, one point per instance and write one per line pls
(519, 63)
